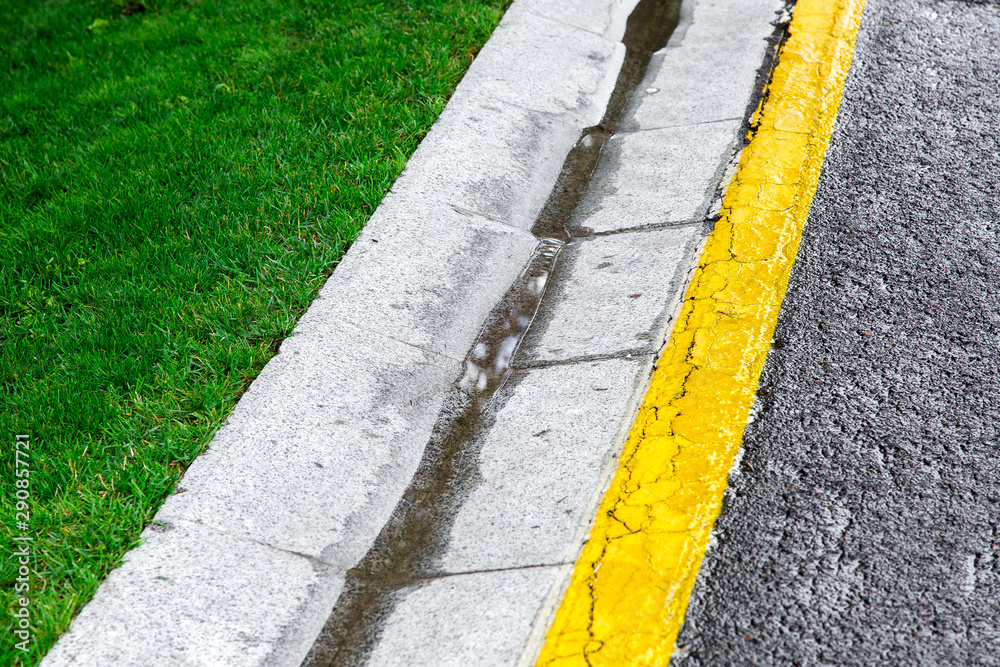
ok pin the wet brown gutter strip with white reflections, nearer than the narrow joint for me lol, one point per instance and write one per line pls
(405, 551)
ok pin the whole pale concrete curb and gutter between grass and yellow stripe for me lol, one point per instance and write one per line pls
(439, 520)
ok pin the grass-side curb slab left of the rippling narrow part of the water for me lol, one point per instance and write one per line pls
(422, 273)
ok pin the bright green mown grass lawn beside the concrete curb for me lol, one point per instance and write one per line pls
(177, 180)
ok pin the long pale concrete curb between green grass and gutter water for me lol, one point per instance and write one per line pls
(255, 608)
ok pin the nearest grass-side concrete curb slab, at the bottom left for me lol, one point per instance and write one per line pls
(234, 576)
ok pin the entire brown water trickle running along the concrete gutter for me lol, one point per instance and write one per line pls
(407, 548)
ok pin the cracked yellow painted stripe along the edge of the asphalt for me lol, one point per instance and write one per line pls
(630, 588)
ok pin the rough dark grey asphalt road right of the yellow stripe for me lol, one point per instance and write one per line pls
(862, 525)
